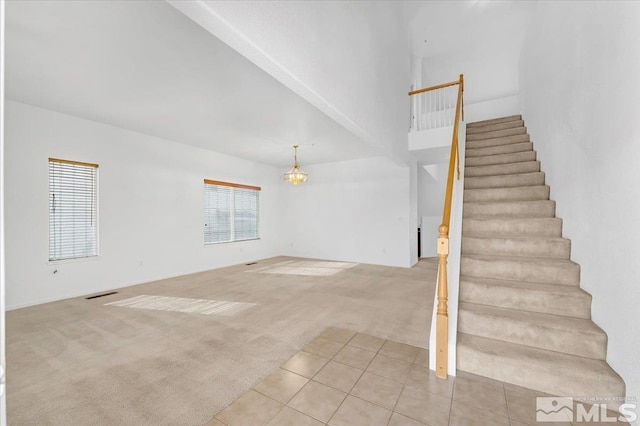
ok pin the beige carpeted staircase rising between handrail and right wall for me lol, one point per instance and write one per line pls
(523, 318)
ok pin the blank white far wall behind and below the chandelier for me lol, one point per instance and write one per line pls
(356, 211)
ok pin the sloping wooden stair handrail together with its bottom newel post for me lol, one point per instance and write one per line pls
(442, 314)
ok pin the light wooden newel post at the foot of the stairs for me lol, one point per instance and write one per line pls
(442, 318)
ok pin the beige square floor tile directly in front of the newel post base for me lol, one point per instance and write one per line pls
(424, 406)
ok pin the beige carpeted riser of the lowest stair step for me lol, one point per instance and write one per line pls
(541, 376)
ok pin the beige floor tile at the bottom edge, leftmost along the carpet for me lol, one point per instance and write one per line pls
(252, 408)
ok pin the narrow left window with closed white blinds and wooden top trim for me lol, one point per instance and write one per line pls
(73, 209)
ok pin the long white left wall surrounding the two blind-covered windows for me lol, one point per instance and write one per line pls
(150, 206)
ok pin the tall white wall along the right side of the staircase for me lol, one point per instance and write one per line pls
(581, 99)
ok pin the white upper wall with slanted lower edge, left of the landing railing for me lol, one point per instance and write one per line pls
(349, 59)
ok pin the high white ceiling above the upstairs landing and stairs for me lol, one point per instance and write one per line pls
(465, 25)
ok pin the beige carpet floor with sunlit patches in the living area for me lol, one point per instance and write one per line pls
(81, 362)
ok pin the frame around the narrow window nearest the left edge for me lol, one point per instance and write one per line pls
(95, 201)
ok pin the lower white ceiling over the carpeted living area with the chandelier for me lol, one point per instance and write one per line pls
(143, 66)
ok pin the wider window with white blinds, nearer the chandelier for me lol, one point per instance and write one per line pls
(230, 212)
